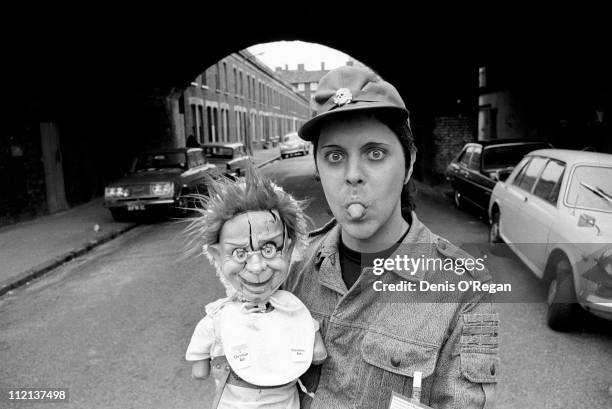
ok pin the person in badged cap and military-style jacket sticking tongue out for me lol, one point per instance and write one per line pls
(380, 338)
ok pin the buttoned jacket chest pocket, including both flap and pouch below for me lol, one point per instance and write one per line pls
(389, 365)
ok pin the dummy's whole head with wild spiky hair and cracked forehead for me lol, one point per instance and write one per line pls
(248, 229)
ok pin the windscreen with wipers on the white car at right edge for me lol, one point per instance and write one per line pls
(585, 180)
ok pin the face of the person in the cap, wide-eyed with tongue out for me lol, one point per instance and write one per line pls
(362, 168)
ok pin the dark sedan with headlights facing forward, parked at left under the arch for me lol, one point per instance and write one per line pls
(159, 180)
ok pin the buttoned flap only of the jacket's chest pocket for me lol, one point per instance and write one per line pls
(398, 356)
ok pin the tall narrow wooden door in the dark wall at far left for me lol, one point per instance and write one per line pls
(52, 159)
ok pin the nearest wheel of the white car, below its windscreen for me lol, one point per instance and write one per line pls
(562, 304)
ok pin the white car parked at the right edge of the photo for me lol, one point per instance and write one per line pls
(555, 213)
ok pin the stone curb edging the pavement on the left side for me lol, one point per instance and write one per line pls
(47, 266)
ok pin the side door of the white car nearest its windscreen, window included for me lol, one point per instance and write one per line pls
(539, 213)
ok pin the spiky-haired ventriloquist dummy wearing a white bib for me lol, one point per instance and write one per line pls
(258, 340)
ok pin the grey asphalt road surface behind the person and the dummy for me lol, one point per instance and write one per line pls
(113, 326)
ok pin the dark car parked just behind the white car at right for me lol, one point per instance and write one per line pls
(479, 165)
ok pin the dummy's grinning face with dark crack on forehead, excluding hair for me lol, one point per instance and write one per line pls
(249, 254)
